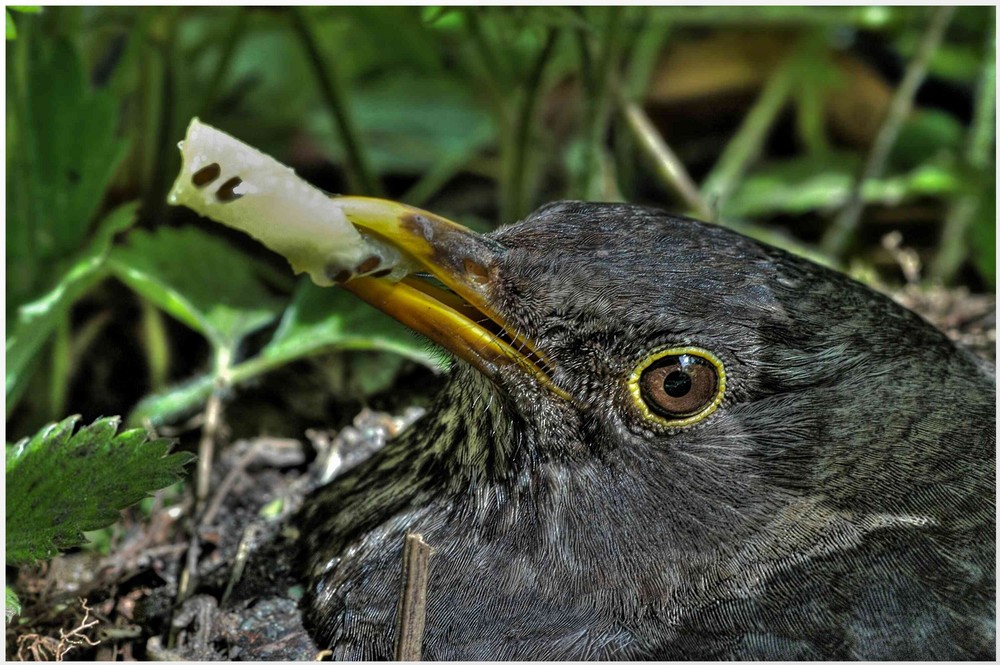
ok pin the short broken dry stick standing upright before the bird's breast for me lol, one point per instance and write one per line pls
(412, 608)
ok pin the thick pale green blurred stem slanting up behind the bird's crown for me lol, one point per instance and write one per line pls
(746, 145)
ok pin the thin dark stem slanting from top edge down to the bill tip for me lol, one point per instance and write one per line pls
(360, 175)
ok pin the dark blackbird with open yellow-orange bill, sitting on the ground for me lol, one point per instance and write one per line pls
(663, 440)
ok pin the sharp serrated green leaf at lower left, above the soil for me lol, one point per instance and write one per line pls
(60, 484)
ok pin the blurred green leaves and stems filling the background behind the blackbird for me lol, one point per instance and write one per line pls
(821, 130)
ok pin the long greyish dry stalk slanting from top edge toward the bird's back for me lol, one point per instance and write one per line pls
(839, 234)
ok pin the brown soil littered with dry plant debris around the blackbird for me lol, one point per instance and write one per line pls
(230, 593)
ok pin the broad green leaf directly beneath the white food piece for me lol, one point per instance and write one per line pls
(198, 279)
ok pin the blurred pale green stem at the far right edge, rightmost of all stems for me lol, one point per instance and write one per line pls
(962, 212)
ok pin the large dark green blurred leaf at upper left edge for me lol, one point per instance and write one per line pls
(63, 149)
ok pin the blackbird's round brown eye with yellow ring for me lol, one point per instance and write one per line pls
(677, 387)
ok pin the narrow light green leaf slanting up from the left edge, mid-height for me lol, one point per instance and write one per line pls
(37, 320)
